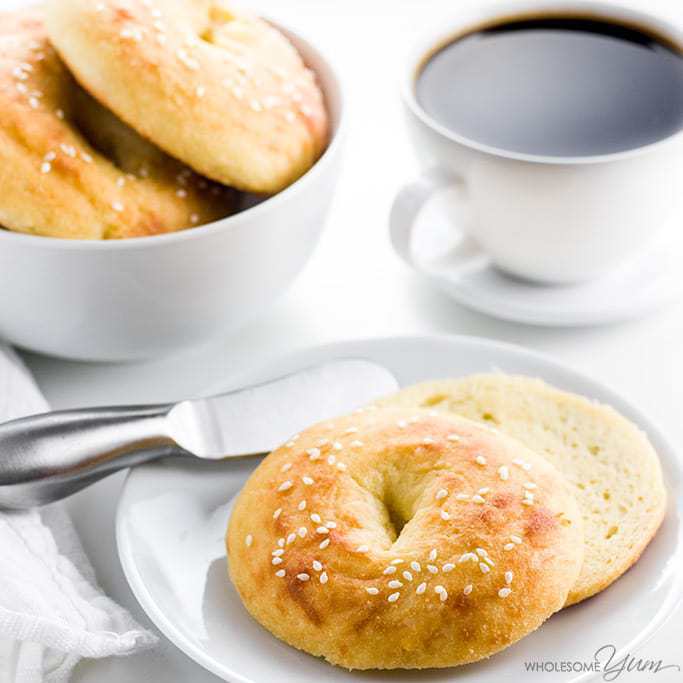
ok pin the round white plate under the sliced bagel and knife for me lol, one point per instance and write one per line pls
(172, 515)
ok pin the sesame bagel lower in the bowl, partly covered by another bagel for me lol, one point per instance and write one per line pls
(69, 168)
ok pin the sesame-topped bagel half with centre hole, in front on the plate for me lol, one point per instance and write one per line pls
(386, 540)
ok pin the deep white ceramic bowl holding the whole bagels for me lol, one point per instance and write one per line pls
(149, 296)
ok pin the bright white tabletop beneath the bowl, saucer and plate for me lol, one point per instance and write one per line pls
(355, 287)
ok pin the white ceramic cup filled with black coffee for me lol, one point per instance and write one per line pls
(545, 218)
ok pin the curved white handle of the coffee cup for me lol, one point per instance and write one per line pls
(409, 202)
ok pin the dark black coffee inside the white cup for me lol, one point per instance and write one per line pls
(559, 86)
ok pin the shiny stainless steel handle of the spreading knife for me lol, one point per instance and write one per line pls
(44, 458)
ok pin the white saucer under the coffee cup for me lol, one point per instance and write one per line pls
(631, 291)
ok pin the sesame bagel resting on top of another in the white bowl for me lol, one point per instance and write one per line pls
(221, 90)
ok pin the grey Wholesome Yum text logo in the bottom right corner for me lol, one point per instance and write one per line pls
(604, 661)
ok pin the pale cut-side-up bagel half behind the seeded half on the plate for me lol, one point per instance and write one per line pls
(615, 472)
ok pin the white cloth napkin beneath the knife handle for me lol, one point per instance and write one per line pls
(52, 612)
